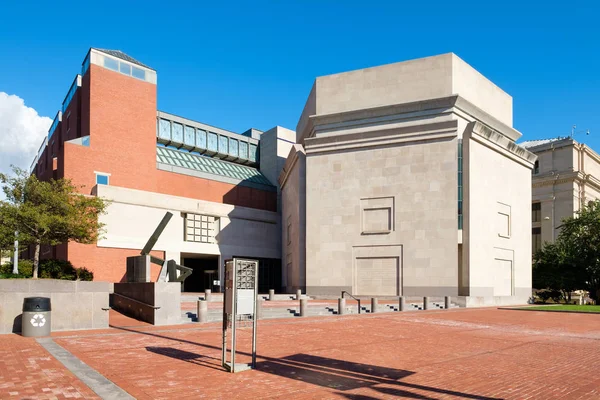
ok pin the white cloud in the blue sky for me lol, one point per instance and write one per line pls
(22, 131)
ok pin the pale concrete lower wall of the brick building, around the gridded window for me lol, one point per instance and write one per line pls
(133, 216)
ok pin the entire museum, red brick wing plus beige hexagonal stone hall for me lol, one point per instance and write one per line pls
(402, 179)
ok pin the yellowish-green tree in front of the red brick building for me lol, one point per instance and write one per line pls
(47, 213)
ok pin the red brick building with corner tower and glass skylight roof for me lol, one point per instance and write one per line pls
(221, 186)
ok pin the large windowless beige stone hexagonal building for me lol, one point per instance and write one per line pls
(405, 179)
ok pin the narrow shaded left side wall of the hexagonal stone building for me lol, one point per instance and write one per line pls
(293, 194)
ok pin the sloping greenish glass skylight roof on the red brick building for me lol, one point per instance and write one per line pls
(209, 165)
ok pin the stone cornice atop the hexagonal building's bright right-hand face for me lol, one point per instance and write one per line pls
(500, 143)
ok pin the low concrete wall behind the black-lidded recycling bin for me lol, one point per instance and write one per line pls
(75, 304)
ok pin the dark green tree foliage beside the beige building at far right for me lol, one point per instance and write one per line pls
(573, 261)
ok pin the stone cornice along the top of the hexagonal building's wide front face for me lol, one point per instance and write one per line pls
(382, 136)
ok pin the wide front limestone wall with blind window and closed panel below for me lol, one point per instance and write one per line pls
(372, 209)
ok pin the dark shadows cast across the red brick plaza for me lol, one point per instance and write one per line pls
(339, 376)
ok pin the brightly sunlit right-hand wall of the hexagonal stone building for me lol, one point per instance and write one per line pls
(497, 219)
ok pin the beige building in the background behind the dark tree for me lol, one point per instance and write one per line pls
(565, 177)
